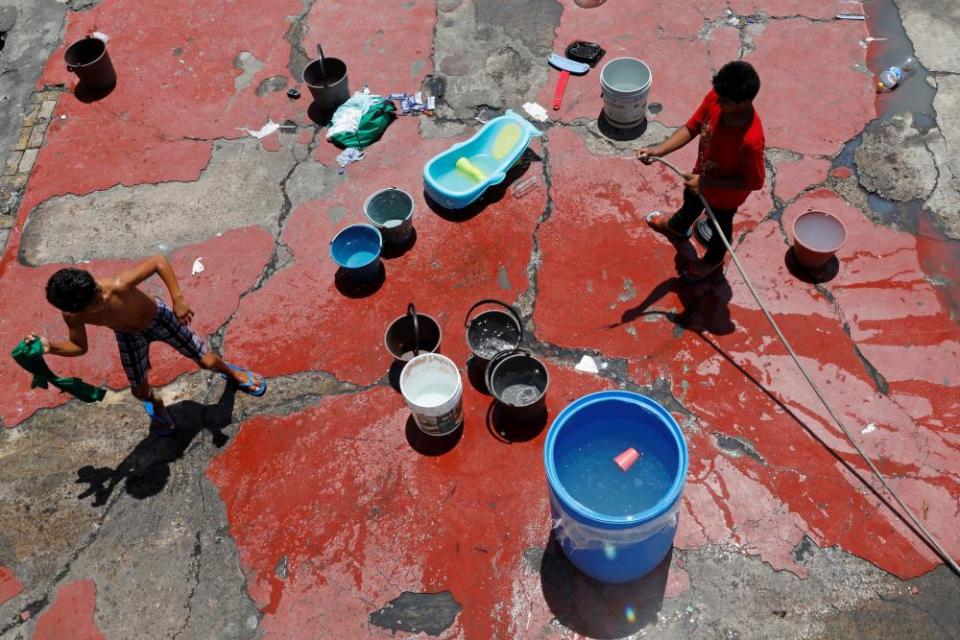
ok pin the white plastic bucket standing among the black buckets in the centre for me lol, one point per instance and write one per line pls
(433, 389)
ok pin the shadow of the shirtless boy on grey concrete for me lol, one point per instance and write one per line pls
(146, 469)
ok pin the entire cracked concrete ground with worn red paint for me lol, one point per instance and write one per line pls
(318, 511)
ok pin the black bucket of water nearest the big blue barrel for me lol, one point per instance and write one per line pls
(518, 381)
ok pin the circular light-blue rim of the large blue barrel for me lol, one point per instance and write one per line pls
(577, 508)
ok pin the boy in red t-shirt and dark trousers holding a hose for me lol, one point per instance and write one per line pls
(730, 162)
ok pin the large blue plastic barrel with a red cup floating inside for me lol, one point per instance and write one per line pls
(614, 525)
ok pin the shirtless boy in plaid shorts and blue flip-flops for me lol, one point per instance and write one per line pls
(137, 320)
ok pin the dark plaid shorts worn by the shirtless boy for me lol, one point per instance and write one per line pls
(135, 347)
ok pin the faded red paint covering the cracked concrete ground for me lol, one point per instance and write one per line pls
(339, 491)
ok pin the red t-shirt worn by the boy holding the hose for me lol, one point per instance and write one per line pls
(727, 152)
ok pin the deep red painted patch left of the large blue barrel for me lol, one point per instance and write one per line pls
(361, 516)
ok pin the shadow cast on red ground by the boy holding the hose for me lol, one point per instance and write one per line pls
(705, 303)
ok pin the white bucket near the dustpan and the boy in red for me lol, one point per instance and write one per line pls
(624, 85)
